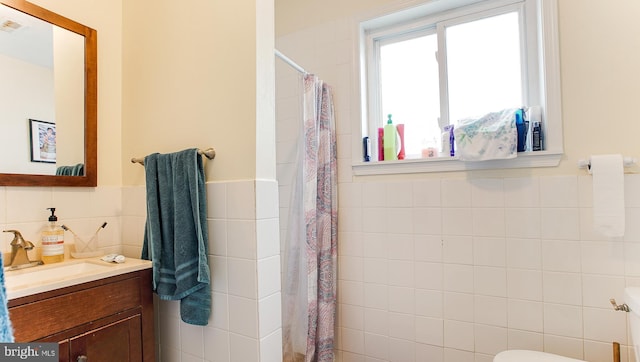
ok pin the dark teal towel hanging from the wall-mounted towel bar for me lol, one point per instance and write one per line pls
(176, 235)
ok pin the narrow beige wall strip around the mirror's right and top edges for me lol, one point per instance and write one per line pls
(106, 17)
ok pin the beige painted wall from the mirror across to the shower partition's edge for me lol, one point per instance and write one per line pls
(172, 77)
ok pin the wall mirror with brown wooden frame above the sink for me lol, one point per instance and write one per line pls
(48, 123)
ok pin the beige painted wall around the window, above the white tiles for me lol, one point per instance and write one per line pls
(600, 53)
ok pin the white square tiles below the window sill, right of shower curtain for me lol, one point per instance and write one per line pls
(488, 264)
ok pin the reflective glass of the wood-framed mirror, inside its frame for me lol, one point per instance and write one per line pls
(47, 79)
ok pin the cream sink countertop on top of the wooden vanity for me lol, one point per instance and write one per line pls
(43, 278)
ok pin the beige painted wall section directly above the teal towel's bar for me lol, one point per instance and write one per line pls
(190, 81)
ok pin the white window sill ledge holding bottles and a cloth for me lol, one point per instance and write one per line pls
(445, 164)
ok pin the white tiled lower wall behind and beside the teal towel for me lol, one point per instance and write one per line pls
(245, 324)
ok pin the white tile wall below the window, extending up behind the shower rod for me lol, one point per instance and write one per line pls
(476, 265)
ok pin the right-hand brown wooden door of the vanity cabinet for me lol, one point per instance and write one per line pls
(120, 341)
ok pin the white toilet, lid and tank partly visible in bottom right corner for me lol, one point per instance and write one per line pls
(632, 301)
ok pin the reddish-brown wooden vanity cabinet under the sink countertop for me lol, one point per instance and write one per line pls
(107, 320)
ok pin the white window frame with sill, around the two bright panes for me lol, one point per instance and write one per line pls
(540, 54)
